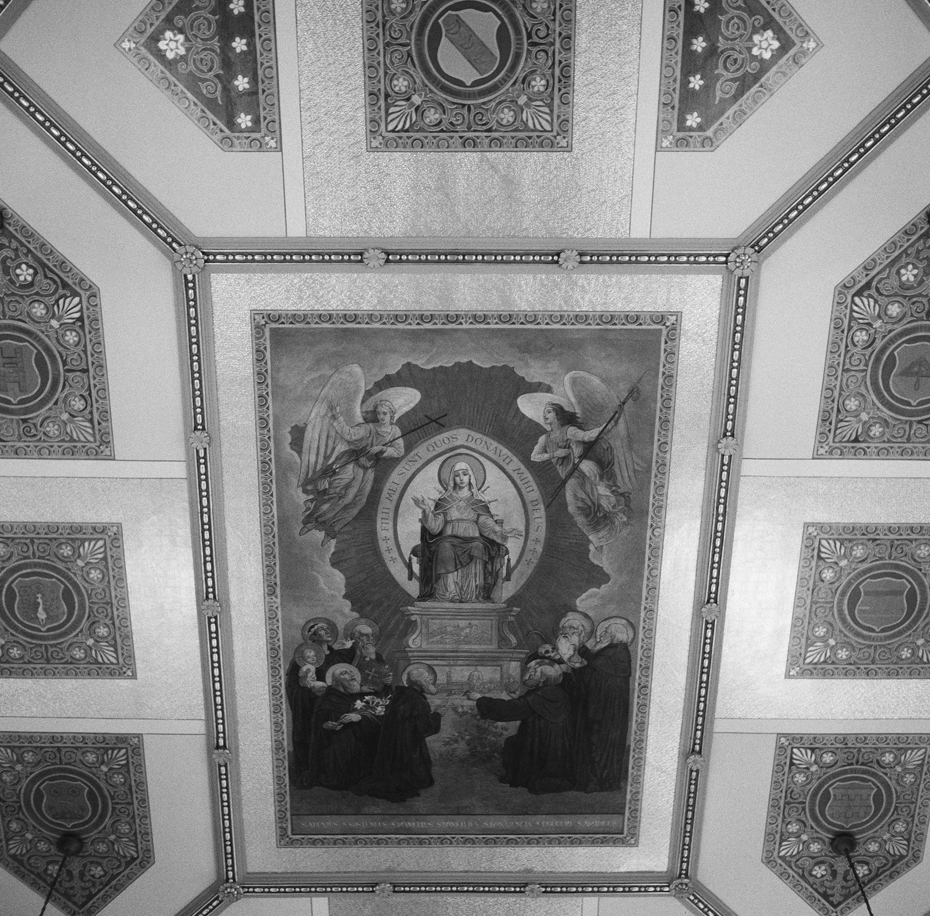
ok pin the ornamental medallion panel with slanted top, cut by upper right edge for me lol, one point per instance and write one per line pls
(876, 390)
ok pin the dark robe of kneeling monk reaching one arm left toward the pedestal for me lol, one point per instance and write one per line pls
(539, 756)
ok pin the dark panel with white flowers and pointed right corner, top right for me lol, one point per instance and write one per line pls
(722, 59)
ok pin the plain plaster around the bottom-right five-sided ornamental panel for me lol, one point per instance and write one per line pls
(730, 863)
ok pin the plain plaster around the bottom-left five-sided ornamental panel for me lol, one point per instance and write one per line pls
(177, 777)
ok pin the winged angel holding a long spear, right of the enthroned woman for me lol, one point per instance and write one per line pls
(588, 440)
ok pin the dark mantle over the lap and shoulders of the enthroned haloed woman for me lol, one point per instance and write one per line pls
(440, 554)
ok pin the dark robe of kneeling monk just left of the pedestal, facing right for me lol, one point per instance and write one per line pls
(402, 764)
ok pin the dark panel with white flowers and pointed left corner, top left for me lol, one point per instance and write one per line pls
(216, 61)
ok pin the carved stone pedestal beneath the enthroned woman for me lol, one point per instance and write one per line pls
(471, 646)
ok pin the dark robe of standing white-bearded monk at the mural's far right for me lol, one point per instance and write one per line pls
(600, 694)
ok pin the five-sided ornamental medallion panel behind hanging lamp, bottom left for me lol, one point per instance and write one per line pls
(90, 785)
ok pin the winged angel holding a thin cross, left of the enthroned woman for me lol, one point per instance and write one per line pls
(343, 442)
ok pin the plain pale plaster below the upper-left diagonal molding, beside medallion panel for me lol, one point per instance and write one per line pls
(135, 280)
